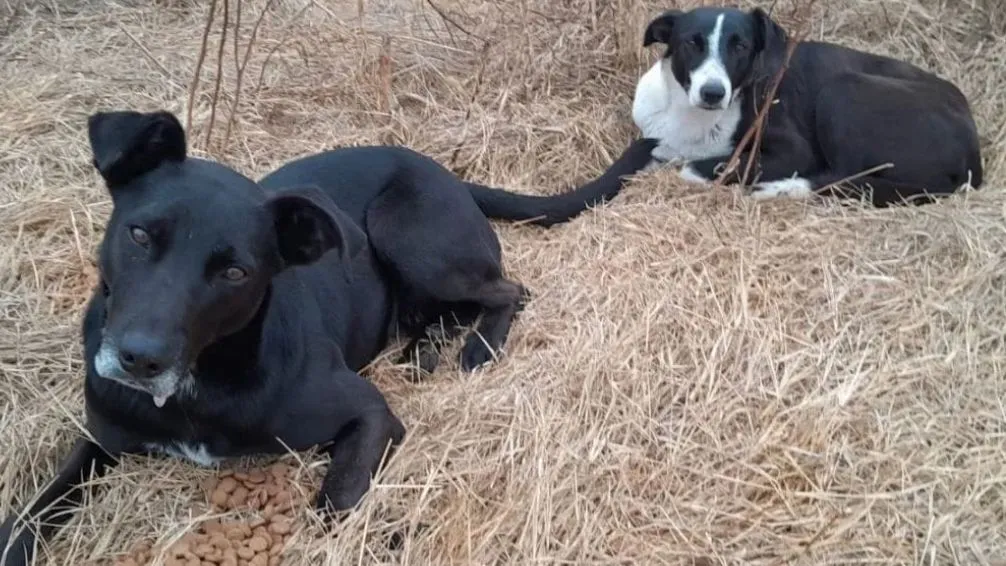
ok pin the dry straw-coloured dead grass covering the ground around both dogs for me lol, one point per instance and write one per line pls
(700, 381)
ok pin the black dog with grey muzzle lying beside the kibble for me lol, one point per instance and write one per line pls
(233, 316)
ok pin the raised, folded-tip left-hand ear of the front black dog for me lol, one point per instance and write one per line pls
(127, 144)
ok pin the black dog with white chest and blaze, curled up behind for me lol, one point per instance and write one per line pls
(839, 113)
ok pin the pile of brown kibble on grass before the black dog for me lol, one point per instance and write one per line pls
(271, 497)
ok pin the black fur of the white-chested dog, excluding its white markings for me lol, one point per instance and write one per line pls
(840, 113)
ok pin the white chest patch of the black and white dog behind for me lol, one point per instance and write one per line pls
(661, 110)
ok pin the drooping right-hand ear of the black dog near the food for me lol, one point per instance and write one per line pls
(308, 225)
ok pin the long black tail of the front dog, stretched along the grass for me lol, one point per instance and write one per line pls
(548, 211)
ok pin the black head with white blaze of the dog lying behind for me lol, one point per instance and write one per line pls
(713, 53)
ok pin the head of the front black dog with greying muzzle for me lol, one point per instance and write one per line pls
(191, 249)
